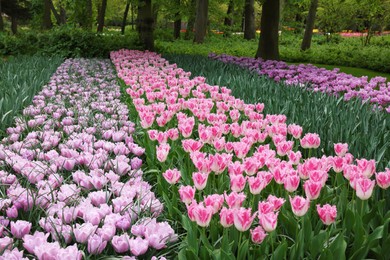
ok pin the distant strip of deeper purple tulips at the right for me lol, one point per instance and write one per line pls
(375, 91)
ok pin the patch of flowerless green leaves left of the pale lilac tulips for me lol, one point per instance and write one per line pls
(21, 78)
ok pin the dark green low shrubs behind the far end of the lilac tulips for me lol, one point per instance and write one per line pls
(66, 42)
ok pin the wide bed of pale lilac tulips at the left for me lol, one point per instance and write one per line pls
(71, 183)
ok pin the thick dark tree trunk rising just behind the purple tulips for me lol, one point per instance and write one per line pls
(269, 37)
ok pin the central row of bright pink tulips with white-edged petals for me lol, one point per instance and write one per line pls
(234, 167)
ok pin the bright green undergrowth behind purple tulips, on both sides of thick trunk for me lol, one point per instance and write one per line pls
(340, 51)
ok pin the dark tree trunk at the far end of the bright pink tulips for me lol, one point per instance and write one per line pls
(145, 24)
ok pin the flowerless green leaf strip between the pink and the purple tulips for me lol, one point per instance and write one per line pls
(367, 132)
